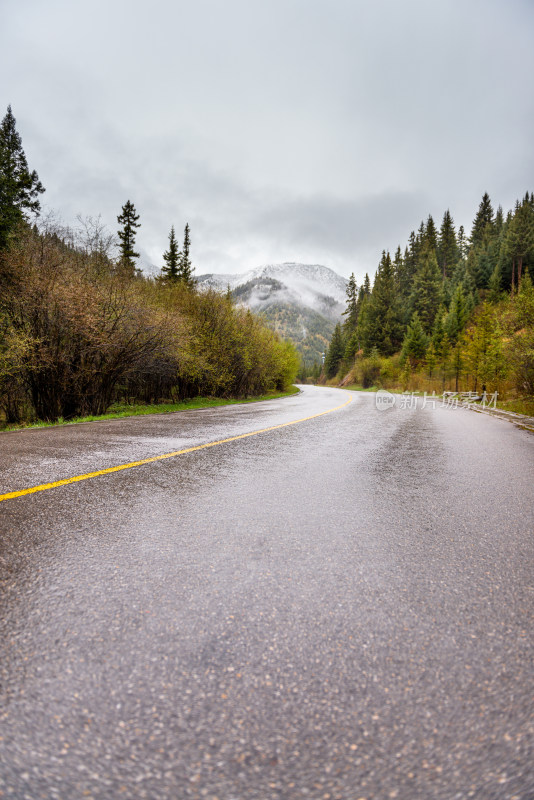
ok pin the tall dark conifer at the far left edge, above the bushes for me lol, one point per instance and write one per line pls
(19, 188)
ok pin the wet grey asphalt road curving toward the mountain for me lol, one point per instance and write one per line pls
(342, 608)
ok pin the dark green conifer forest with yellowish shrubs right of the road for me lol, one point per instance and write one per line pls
(451, 312)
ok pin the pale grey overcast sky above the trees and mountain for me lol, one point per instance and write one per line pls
(319, 131)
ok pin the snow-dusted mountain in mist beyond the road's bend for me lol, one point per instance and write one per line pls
(301, 301)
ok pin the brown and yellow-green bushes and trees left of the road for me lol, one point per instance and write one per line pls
(82, 329)
